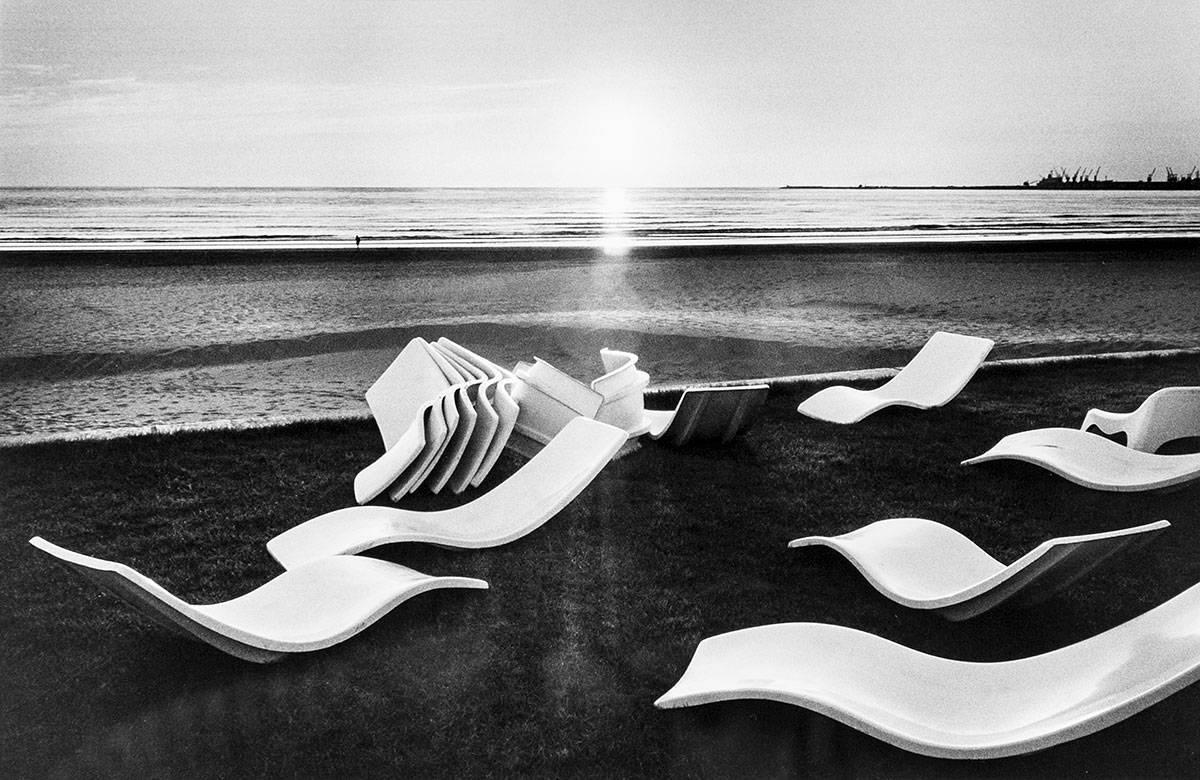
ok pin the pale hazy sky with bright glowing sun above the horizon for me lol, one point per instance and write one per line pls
(407, 93)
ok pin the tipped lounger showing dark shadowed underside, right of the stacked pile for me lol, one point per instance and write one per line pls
(707, 413)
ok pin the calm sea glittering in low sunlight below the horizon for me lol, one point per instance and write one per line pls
(590, 218)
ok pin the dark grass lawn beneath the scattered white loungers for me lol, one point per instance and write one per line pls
(554, 671)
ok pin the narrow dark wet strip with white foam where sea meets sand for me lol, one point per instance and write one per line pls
(1186, 247)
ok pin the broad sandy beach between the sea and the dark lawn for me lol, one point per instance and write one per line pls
(149, 338)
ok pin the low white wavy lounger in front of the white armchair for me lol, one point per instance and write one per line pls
(1094, 461)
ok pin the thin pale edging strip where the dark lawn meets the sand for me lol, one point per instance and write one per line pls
(789, 383)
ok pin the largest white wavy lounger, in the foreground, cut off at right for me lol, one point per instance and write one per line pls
(950, 709)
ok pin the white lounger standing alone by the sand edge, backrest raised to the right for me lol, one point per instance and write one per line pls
(933, 379)
